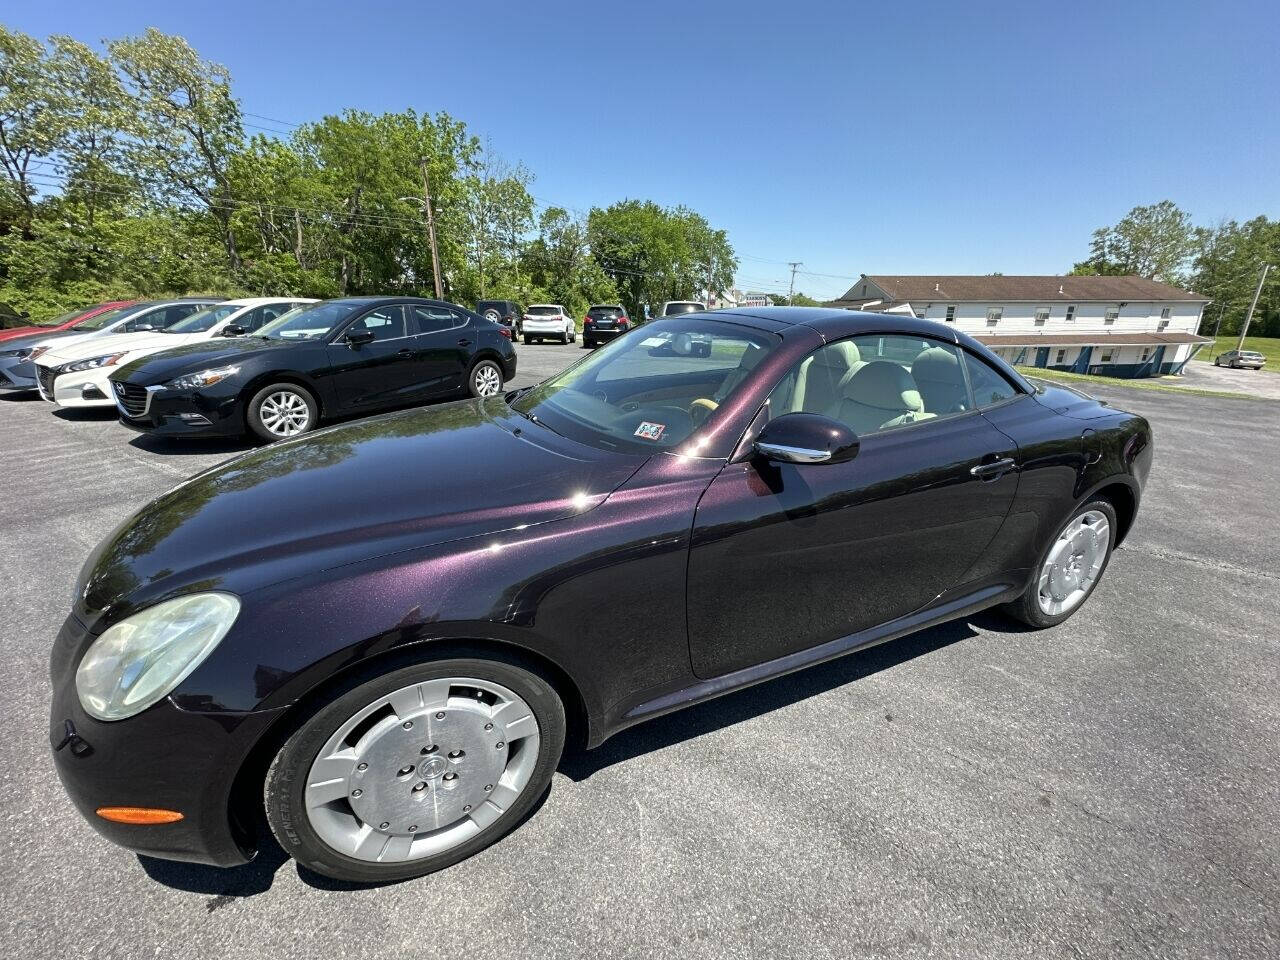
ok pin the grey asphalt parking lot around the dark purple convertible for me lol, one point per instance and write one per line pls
(1104, 789)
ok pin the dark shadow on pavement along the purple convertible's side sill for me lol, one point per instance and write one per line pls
(774, 694)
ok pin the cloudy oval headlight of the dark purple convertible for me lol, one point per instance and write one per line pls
(140, 660)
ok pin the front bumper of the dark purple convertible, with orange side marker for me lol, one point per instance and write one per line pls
(163, 758)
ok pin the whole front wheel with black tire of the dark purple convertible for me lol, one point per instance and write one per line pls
(417, 770)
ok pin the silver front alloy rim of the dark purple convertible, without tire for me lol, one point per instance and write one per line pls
(423, 770)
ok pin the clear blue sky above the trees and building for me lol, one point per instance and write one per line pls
(907, 138)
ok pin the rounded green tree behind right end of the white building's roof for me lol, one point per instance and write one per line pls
(1154, 241)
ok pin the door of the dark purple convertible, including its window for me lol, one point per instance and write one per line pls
(788, 556)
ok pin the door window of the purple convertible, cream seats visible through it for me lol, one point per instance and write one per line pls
(876, 383)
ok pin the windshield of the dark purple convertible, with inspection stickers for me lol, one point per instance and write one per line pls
(650, 394)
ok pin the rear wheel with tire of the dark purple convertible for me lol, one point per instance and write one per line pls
(1069, 568)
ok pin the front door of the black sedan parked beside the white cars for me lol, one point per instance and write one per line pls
(380, 372)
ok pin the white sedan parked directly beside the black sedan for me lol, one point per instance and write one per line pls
(79, 374)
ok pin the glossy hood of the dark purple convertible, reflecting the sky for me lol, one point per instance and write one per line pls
(346, 495)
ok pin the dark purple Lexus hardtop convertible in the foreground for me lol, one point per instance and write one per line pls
(382, 637)
